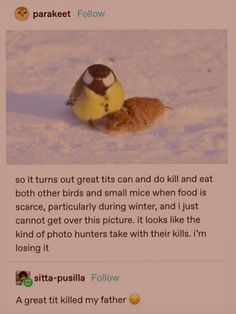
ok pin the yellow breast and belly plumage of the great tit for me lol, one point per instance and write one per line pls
(91, 106)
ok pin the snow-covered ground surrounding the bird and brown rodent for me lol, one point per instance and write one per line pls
(185, 69)
